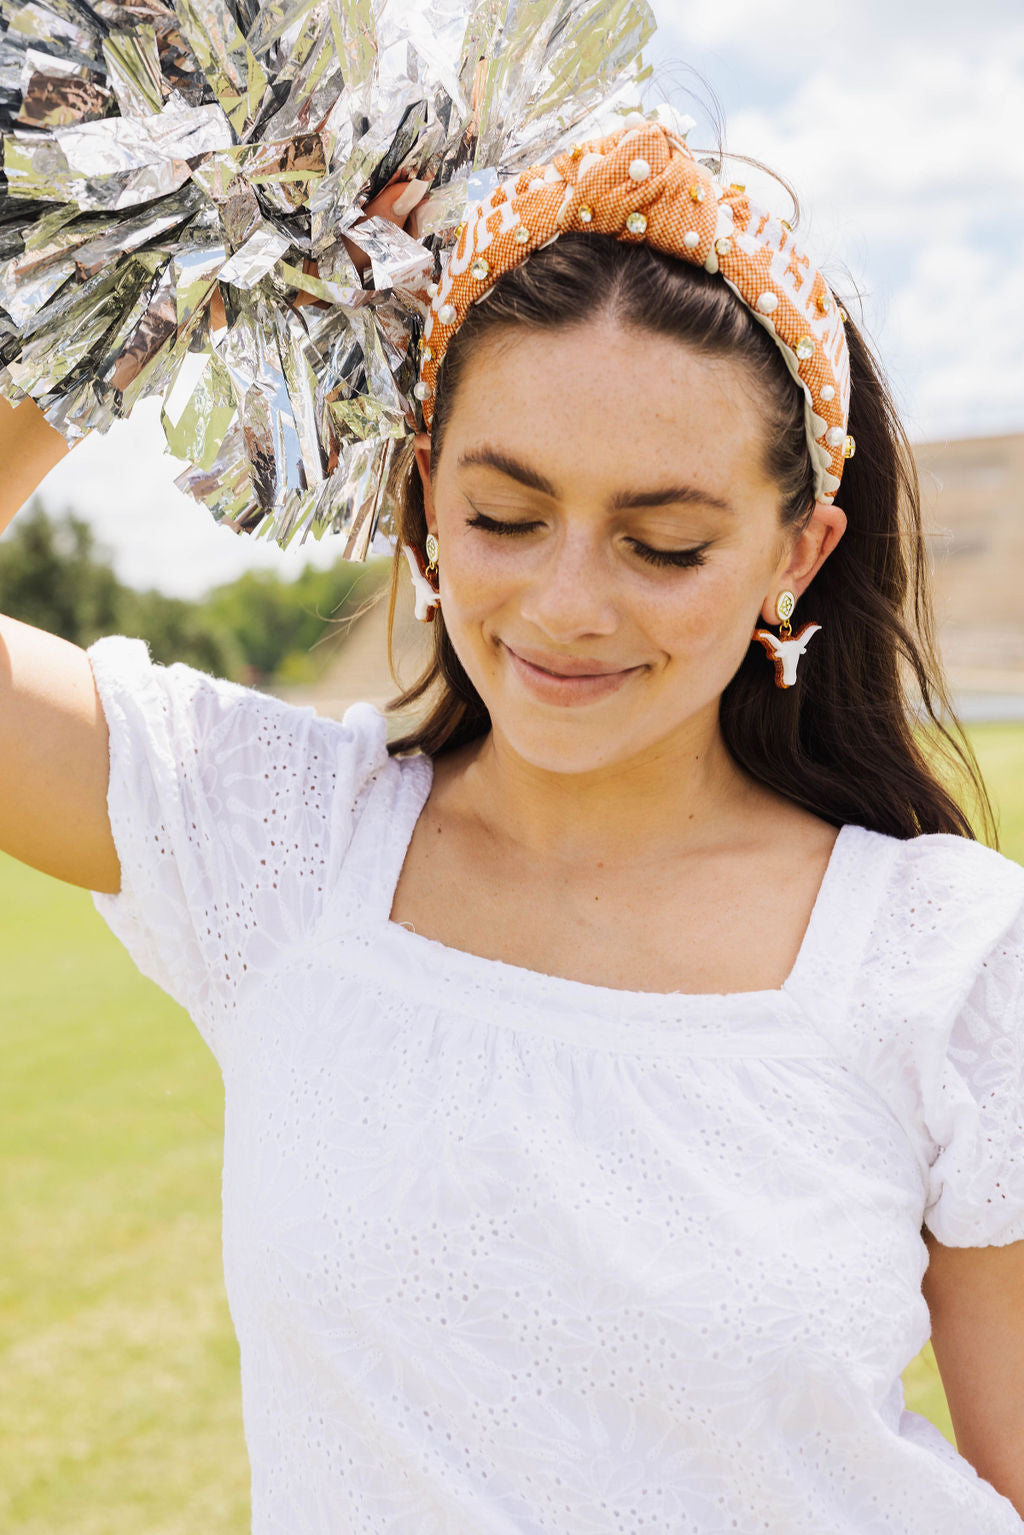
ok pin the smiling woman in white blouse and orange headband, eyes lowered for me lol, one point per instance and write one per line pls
(623, 1069)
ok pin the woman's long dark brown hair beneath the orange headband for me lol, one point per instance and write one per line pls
(842, 742)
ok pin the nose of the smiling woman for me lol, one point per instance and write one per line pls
(569, 595)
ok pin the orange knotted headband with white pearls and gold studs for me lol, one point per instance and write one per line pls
(644, 187)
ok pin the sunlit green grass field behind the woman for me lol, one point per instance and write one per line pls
(121, 1402)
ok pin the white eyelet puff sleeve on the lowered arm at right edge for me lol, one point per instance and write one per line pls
(974, 1098)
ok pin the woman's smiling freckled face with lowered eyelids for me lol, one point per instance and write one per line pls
(609, 541)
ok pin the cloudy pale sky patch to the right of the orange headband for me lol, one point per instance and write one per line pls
(903, 142)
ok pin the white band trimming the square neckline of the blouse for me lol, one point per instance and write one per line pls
(449, 965)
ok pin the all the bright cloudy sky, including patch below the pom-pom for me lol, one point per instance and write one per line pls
(902, 127)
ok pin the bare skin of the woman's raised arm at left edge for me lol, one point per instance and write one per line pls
(55, 756)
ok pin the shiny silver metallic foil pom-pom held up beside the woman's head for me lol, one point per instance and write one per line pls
(182, 216)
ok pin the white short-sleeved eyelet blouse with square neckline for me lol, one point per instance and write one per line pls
(510, 1253)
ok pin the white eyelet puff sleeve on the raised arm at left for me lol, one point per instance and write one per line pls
(231, 816)
